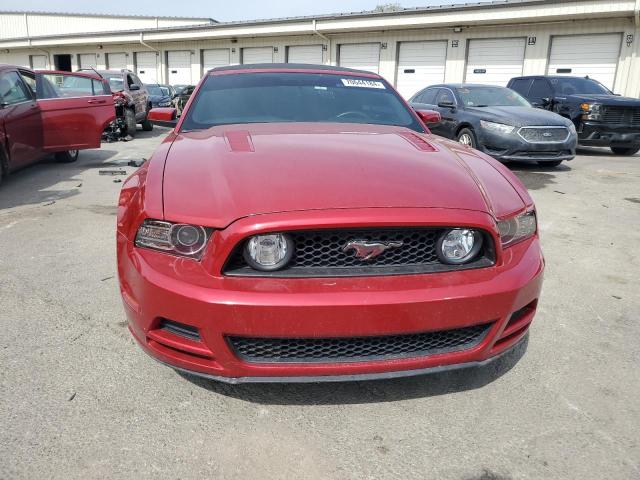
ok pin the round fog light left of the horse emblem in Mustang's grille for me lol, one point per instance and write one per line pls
(268, 252)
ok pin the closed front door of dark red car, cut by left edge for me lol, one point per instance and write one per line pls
(20, 115)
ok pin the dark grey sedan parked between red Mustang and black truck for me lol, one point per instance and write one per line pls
(499, 122)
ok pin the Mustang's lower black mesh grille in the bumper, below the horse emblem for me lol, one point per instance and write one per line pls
(354, 349)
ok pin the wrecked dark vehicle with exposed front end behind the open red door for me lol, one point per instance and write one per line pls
(131, 99)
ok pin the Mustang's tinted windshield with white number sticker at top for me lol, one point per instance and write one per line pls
(296, 97)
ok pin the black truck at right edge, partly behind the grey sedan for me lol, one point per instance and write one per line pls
(602, 118)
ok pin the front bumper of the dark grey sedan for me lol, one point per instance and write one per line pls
(512, 147)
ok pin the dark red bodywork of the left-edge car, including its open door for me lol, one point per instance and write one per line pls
(32, 128)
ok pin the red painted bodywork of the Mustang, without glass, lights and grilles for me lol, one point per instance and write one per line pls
(242, 180)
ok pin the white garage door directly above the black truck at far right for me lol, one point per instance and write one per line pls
(581, 55)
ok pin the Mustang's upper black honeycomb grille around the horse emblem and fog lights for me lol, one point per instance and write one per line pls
(320, 253)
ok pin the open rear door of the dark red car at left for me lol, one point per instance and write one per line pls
(75, 108)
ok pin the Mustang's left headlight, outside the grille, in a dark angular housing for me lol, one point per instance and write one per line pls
(175, 238)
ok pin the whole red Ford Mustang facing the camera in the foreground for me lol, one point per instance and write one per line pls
(300, 223)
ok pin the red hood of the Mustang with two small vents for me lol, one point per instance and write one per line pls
(216, 176)
